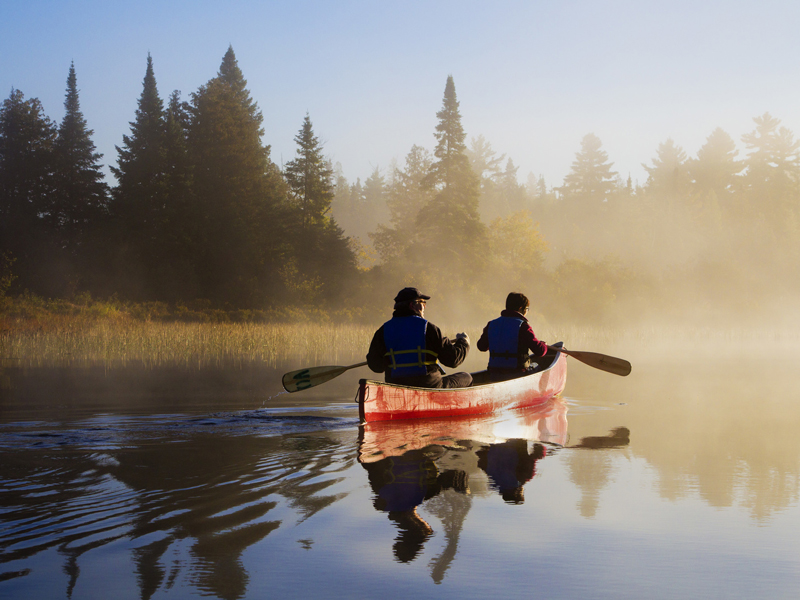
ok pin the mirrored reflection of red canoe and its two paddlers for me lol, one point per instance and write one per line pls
(441, 462)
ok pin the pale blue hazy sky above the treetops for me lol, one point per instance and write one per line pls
(532, 77)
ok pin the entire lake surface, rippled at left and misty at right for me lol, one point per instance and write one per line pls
(679, 481)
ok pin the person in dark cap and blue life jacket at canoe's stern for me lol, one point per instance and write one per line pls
(407, 348)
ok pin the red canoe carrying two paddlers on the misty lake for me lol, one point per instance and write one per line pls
(380, 401)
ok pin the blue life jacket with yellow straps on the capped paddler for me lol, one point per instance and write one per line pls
(405, 344)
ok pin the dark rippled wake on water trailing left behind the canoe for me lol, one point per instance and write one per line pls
(183, 479)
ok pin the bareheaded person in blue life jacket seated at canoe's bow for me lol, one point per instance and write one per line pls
(510, 340)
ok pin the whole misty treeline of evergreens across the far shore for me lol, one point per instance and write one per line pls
(200, 213)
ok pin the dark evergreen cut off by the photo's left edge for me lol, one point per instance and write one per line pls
(27, 139)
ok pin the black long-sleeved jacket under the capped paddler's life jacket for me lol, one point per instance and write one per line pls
(450, 354)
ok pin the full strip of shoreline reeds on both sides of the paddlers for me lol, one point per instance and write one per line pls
(117, 343)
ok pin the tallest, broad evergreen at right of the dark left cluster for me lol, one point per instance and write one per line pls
(240, 242)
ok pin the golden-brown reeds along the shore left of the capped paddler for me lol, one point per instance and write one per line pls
(188, 345)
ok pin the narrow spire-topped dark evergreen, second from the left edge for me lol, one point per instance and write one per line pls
(81, 194)
